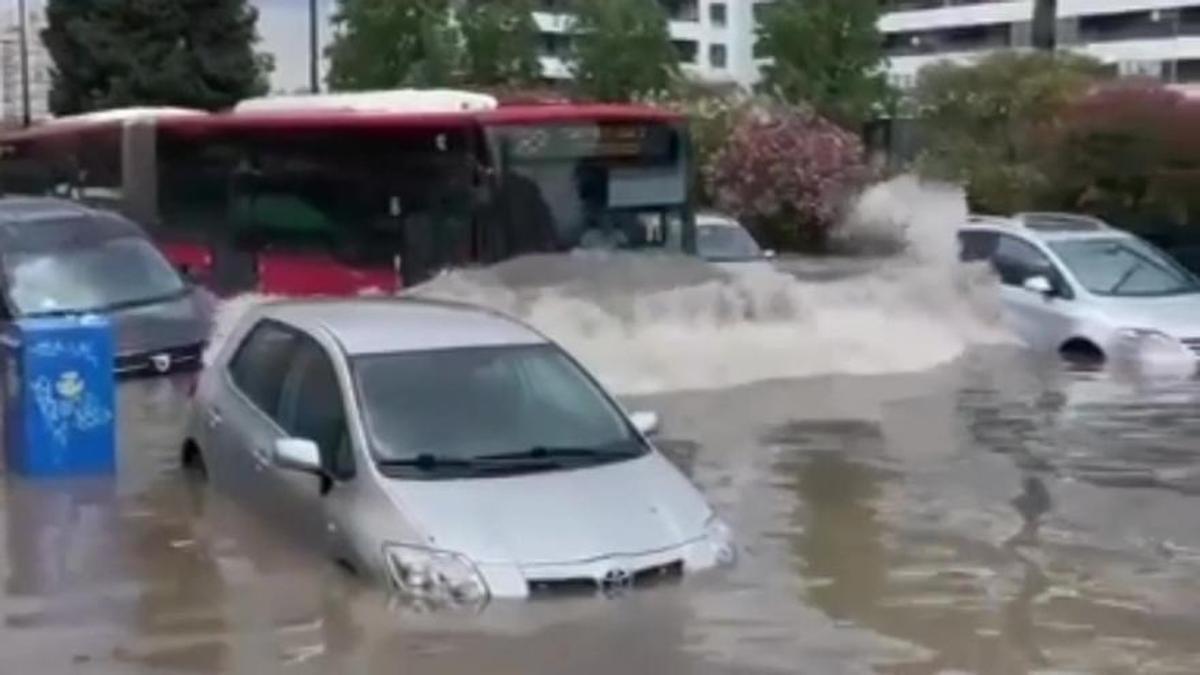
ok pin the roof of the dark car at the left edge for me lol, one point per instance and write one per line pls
(32, 224)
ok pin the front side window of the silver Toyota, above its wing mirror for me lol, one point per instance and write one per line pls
(311, 408)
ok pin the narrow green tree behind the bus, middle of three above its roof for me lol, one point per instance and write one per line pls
(501, 41)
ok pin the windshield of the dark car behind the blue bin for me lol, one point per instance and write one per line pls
(105, 274)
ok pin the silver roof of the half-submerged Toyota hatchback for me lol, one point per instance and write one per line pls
(376, 326)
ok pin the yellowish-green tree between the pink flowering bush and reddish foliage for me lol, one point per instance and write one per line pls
(993, 127)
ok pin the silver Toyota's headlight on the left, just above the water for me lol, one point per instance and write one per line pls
(439, 580)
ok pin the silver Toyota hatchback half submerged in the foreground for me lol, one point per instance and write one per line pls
(455, 453)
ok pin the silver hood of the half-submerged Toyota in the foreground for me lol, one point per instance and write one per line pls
(562, 517)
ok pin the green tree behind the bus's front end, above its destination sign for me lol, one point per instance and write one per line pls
(622, 50)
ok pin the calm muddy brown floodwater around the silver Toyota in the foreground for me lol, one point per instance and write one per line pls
(998, 516)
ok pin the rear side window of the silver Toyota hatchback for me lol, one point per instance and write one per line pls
(262, 363)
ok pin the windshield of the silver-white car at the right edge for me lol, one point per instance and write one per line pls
(1125, 267)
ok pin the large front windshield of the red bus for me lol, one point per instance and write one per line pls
(589, 186)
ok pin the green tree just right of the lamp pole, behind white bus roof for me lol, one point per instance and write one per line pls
(388, 44)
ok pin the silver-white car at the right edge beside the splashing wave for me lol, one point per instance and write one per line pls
(1090, 292)
